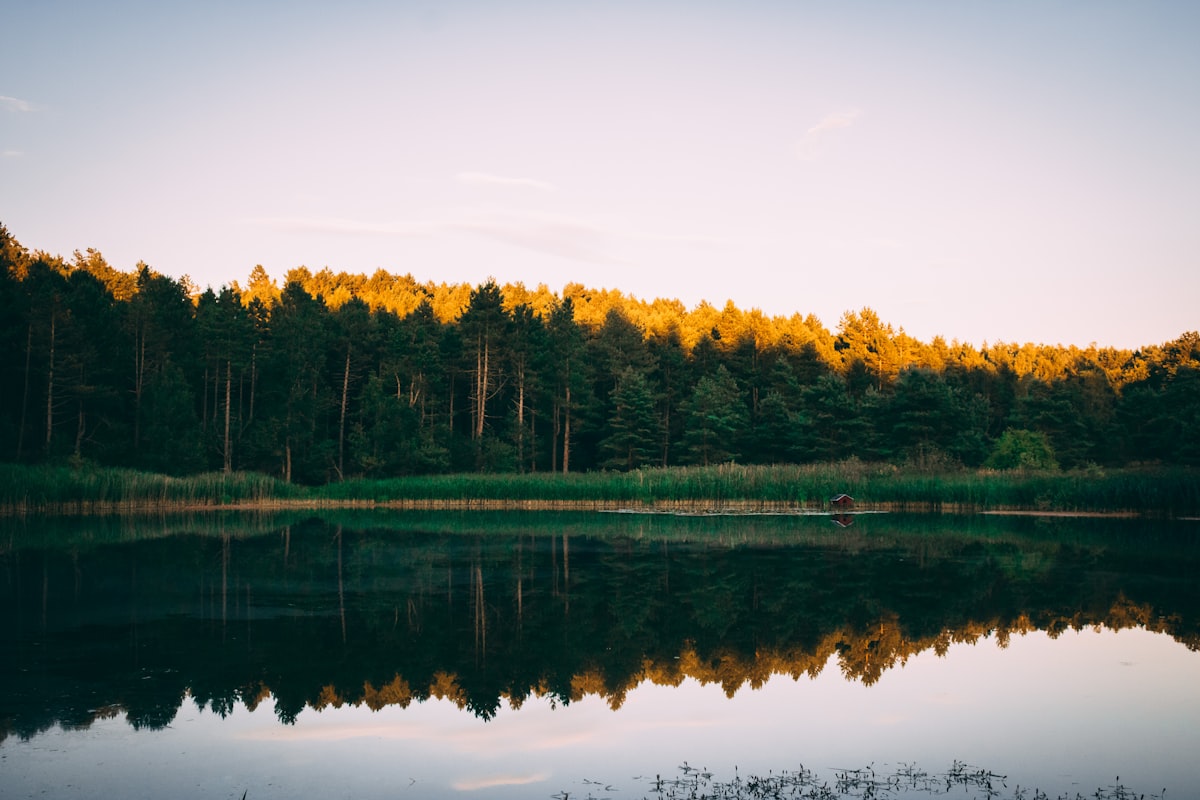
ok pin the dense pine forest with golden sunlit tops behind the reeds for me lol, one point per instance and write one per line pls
(337, 376)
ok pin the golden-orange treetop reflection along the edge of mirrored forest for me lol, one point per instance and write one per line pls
(861, 655)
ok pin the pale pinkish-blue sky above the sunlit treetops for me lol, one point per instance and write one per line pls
(1016, 172)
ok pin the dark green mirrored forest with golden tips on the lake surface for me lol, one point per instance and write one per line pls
(319, 615)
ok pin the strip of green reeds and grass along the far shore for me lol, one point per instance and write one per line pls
(728, 489)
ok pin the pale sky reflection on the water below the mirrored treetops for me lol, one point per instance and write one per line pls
(1064, 715)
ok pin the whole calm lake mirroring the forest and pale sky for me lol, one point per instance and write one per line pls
(608, 655)
